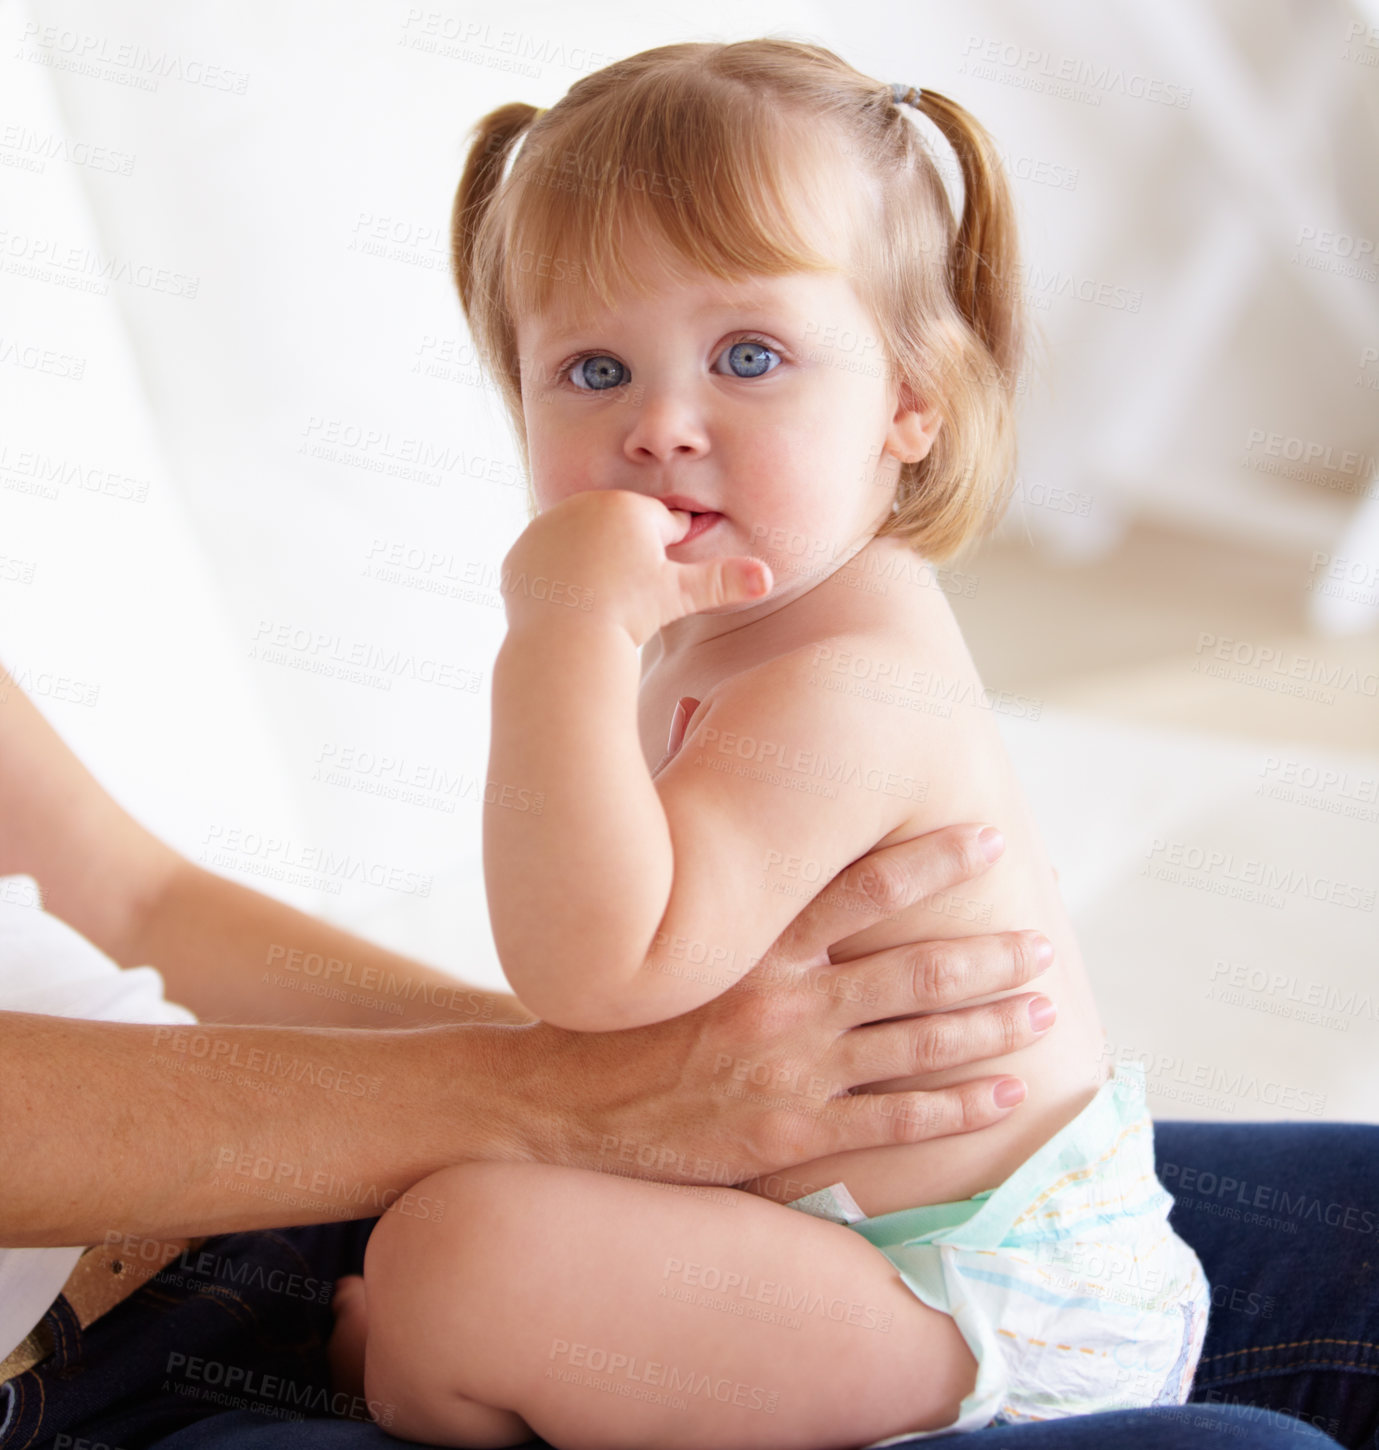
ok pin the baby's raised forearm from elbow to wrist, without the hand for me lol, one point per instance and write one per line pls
(578, 853)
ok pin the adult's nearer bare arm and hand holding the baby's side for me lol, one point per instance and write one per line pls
(196, 1130)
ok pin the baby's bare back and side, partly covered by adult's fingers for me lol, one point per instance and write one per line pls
(884, 631)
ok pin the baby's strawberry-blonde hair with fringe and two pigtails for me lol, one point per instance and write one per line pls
(705, 150)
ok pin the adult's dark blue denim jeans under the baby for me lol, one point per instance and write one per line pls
(225, 1349)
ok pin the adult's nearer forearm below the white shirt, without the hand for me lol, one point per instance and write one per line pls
(192, 1130)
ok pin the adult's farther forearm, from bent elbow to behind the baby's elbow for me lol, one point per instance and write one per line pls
(231, 955)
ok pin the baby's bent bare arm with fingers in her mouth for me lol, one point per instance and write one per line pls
(626, 900)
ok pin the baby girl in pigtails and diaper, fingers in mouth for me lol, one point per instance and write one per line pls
(762, 382)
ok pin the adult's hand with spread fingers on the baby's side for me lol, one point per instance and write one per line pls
(666, 1101)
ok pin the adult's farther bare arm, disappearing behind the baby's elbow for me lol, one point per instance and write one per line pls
(225, 952)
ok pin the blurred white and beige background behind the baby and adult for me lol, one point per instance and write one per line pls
(254, 494)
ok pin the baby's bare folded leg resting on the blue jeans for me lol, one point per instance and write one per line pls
(610, 1313)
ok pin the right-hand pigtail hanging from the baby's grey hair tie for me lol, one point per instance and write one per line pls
(984, 266)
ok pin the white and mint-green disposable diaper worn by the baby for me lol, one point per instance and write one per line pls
(1068, 1284)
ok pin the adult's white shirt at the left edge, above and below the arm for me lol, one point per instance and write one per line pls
(46, 966)
